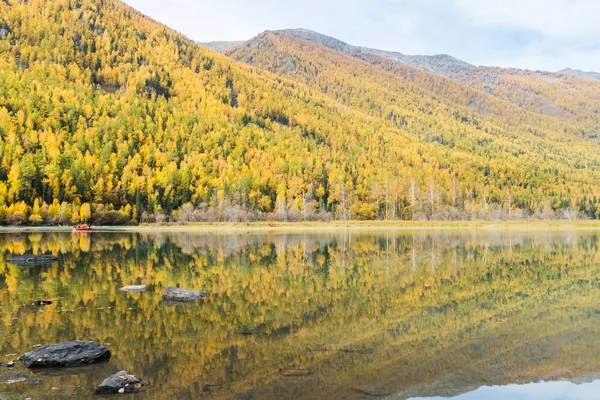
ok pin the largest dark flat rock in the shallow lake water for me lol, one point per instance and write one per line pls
(66, 355)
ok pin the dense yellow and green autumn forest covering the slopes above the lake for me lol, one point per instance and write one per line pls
(108, 116)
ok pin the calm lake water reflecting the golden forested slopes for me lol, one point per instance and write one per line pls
(446, 314)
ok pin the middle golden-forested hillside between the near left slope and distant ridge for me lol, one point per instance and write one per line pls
(522, 146)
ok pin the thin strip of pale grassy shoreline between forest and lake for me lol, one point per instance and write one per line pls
(266, 227)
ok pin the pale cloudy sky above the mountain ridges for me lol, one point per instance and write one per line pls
(534, 34)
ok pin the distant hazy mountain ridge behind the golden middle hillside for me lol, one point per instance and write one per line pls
(552, 94)
